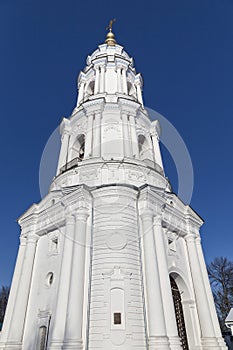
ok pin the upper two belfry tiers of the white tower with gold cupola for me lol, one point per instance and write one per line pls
(110, 118)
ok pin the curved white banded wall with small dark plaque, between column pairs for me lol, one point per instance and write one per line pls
(116, 263)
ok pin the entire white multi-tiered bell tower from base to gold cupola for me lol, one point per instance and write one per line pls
(99, 254)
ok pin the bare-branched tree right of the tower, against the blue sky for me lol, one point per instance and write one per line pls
(220, 272)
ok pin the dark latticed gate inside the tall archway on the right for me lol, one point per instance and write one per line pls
(179, 314)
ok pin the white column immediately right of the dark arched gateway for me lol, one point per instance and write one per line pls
(205, 319)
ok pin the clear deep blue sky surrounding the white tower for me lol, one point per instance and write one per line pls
(184, 50)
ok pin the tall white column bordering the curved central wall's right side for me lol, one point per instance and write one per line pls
(155, 313)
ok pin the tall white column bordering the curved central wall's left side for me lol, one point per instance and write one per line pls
(74, 320)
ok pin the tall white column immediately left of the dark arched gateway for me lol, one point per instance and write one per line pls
(168, 305)
